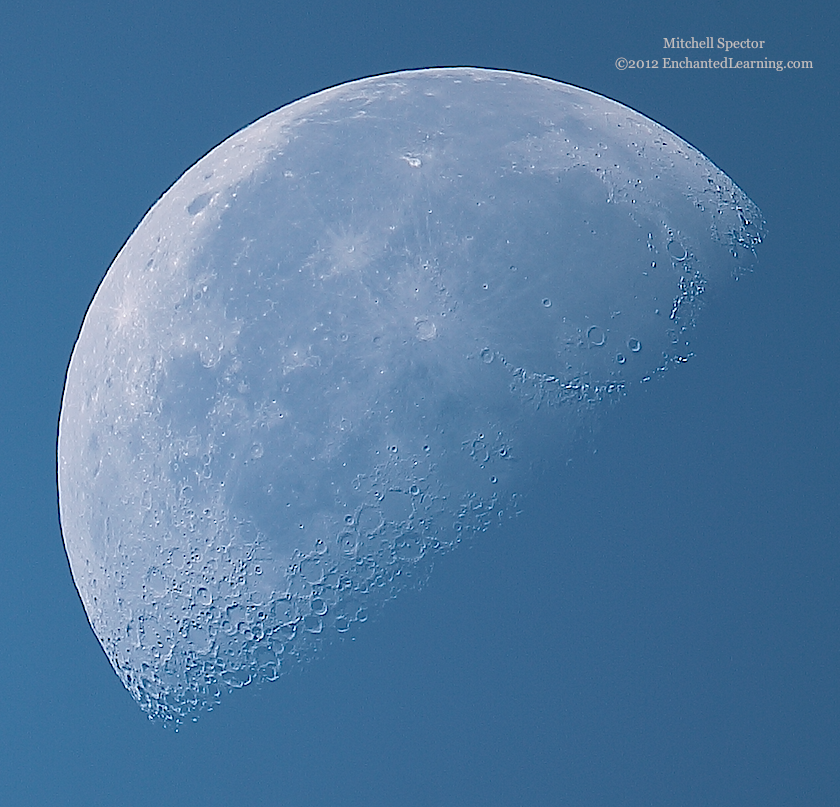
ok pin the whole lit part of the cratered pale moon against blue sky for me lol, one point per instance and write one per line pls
(350, 336)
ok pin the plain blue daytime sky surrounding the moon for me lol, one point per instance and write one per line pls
(663, 630)
